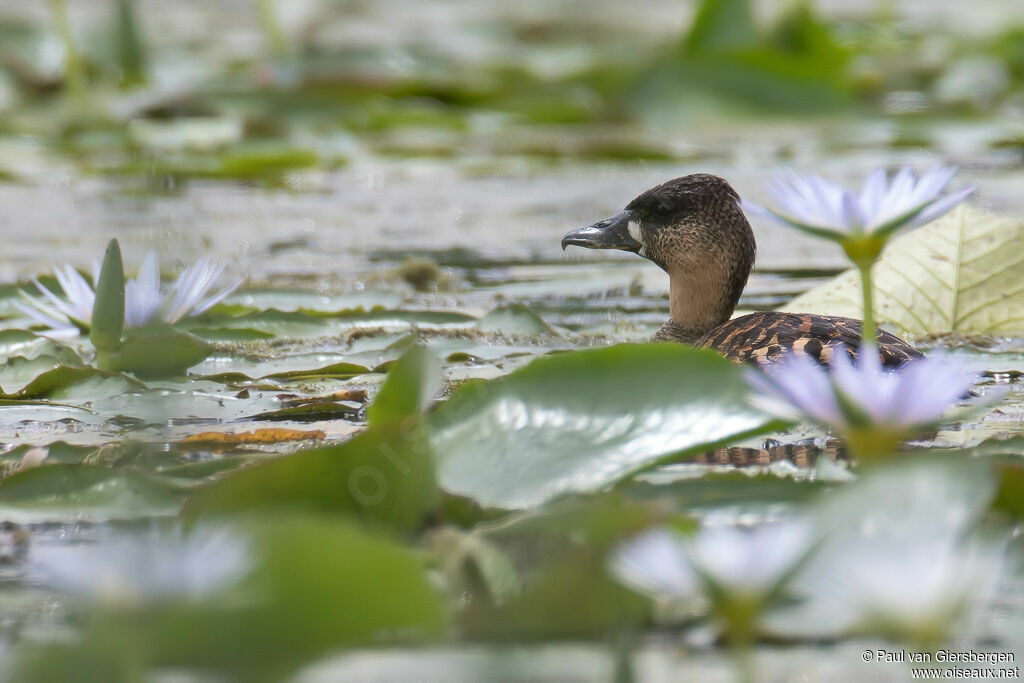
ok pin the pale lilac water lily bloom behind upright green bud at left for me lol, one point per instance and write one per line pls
(145, 303)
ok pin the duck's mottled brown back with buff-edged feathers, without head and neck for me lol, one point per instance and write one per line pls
(769, 336)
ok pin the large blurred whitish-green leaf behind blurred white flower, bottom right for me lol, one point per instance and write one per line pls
(905, 507)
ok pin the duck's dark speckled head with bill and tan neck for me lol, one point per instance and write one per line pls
(695, 230)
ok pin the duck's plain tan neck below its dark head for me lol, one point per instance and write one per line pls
(699, 303)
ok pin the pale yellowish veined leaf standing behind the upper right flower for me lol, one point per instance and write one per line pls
(963, 273)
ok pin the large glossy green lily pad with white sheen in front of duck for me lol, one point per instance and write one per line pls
(582, 421)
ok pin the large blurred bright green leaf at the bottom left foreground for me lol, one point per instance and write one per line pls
(318, 586)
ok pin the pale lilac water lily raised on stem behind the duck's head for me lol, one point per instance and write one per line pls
(883, 206)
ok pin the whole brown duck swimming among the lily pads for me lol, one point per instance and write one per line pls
(695, 230)
